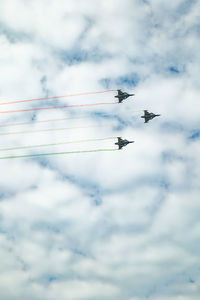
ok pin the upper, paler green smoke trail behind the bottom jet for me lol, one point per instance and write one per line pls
(54, 144)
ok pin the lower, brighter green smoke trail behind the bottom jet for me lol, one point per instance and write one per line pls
(55, 153)
